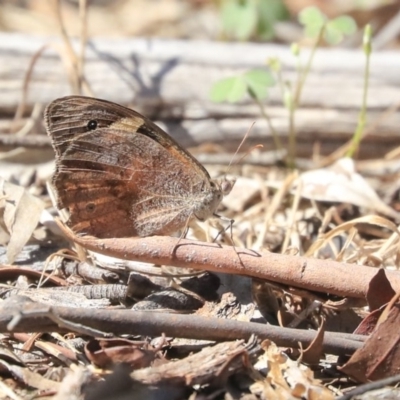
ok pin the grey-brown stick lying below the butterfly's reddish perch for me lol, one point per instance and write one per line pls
(155, 324)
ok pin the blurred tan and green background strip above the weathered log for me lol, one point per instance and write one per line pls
(244, 20)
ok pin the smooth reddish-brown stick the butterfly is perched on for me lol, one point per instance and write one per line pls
(341, 279)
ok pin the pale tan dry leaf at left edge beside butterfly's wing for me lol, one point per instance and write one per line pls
(21, 213)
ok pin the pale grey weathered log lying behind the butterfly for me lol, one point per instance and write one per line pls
(170, 80)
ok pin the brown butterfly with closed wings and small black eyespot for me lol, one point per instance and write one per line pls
(120, 175)
